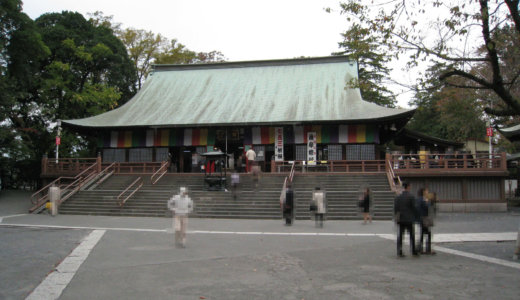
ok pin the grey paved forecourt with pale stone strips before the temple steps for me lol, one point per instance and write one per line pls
(88, 257)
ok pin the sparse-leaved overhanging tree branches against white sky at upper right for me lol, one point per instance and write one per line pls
(462, 36)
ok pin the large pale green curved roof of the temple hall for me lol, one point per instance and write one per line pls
(279, 92)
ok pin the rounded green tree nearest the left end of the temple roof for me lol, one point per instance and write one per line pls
(87, 73)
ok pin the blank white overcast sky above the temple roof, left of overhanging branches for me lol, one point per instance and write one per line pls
(240, 29)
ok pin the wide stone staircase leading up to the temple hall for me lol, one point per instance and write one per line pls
(251, 203)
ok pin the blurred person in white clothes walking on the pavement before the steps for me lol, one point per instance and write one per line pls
(181, 205)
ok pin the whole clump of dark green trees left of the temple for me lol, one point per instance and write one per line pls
(58, 67)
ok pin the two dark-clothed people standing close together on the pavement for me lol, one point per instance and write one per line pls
(408, 211)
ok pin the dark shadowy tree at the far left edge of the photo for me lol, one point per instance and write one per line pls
(21, 50)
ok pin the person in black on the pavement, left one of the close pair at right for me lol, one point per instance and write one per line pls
(406, 214)
